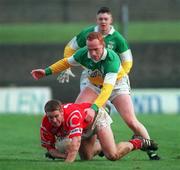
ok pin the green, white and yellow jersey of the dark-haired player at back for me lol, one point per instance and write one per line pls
(113, 40)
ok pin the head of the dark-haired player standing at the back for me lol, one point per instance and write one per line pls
(104, 19)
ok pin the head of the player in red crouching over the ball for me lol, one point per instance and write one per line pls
(54, 112)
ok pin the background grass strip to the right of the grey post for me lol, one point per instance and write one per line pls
(154, 31)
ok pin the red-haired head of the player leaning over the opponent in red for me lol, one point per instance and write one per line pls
(95, 44)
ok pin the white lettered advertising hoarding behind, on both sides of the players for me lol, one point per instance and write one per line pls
(31, 100)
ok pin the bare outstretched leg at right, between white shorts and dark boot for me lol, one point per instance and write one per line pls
(124, 106)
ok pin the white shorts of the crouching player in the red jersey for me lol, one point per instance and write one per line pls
(102, 120)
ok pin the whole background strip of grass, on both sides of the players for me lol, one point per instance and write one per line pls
(60, 33)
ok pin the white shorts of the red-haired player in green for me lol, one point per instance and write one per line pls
(121, 87)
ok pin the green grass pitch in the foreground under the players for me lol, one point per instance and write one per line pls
(20, 147)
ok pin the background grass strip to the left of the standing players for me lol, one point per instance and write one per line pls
(38, 33)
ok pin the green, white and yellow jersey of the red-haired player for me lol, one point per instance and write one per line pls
(103, 73)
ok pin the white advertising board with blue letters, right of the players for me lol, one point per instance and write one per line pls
(165, 101)
